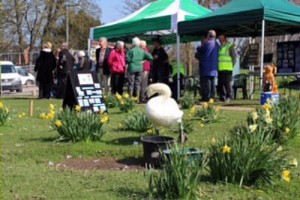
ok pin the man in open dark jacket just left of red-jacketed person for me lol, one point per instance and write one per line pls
(102, 66)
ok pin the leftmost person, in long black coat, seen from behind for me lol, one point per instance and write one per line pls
(44, 66)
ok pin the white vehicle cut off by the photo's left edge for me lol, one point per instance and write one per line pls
(10, 79)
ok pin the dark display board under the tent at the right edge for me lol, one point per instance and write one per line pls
(288, 57)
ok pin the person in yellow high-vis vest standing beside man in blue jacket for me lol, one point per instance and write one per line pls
(227, 58)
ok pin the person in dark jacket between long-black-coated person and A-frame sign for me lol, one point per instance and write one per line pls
(65, 65)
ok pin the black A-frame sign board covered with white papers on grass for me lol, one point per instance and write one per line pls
(85, 90)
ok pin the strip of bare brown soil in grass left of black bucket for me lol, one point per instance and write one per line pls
(101, 164)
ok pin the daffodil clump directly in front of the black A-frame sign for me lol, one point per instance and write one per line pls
(79, 126)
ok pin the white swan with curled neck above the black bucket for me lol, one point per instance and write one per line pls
(162, 110)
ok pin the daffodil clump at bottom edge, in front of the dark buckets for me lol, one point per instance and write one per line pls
(178, 178)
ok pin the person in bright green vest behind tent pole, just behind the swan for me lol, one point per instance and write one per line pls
(174, 77)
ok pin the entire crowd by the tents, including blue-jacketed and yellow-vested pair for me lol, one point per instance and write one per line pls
(136, 66)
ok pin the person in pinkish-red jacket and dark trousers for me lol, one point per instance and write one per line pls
(117, 64)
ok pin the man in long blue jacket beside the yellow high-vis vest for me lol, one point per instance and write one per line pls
(207, 54)
